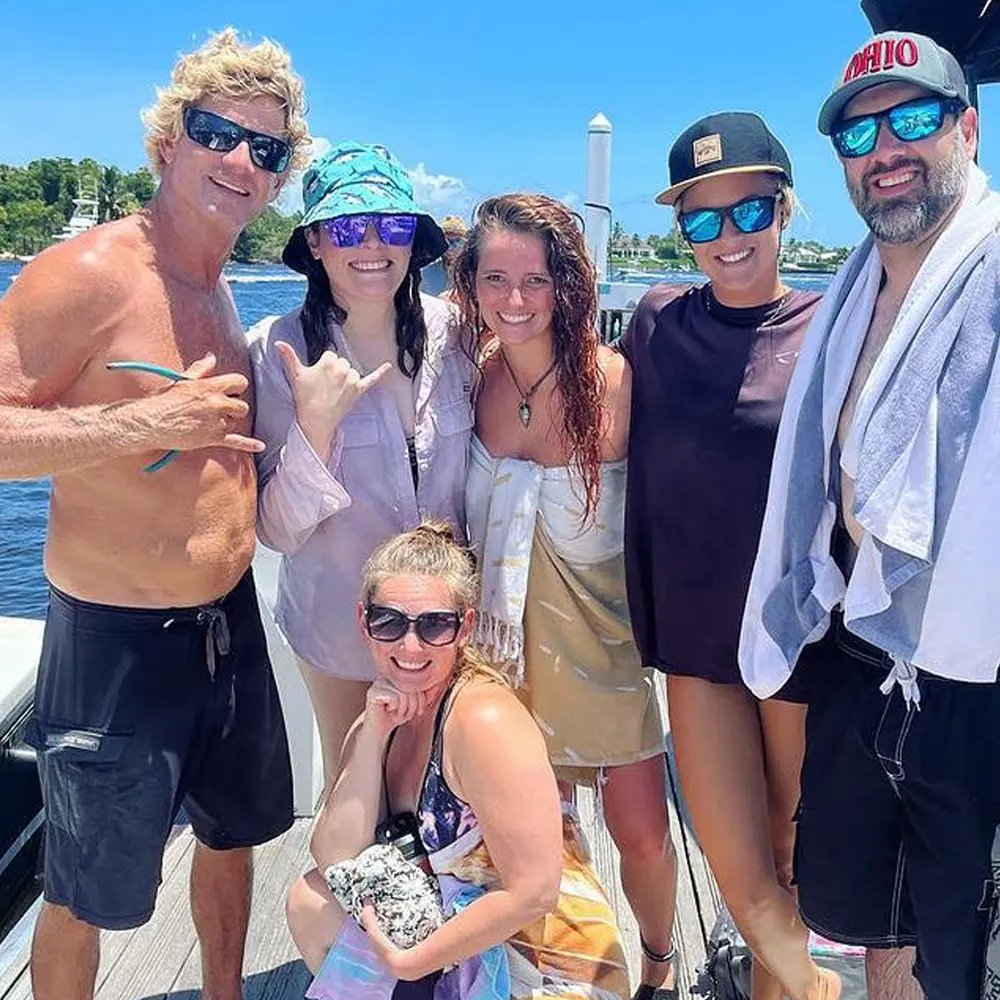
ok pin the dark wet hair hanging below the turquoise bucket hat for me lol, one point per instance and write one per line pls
(321, 309)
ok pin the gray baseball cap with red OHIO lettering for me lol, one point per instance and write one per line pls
(891, 57)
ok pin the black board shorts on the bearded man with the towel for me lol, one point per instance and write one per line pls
(900, 805)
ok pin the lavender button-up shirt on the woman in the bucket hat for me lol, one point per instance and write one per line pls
(326, 518)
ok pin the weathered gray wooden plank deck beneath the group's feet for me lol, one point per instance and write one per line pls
(160, 960)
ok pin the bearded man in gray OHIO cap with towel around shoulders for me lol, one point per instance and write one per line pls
(877, 539)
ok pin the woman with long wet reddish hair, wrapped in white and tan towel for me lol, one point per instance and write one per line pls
(545, 507)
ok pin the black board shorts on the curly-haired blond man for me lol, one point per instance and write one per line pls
(138, 712)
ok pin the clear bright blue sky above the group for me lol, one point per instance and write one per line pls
(474, 96)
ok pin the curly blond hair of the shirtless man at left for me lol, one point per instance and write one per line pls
(225, 66)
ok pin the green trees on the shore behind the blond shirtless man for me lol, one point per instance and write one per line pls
(36, 202)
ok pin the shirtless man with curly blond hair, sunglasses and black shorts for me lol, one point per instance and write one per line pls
(154, 687)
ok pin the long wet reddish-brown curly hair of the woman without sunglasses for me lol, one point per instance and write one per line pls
(579, 377)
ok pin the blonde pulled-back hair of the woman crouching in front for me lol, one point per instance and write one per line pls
(432, 550)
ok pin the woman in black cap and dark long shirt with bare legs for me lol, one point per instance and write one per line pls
(711, 366)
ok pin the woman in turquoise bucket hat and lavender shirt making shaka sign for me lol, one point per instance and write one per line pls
(363, 401)
